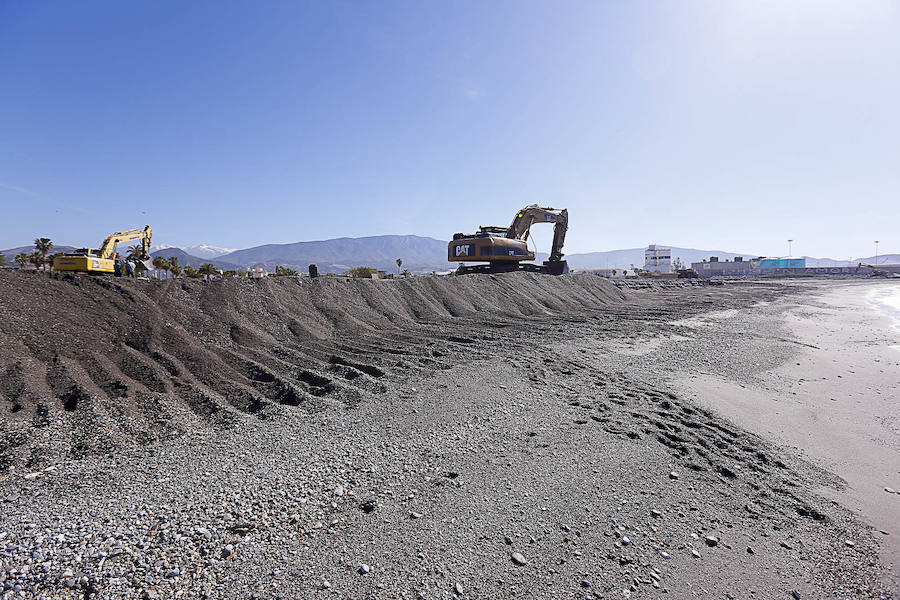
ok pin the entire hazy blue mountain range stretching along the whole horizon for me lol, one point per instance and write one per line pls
(419, 254)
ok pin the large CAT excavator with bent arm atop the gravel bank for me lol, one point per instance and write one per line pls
(505, 248)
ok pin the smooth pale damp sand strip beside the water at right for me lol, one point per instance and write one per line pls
(834, 401)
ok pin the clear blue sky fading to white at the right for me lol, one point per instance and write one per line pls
(715, 125)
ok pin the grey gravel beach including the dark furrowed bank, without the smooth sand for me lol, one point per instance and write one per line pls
(514, 436)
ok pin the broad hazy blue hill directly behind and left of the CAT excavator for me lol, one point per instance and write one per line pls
(419, 254)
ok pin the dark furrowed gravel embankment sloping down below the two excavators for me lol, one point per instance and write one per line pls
(89, 364)
